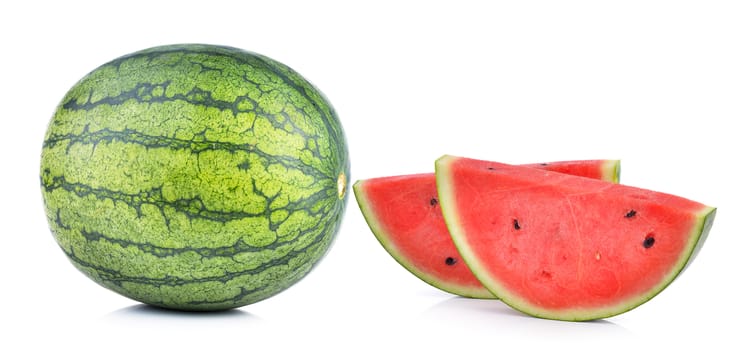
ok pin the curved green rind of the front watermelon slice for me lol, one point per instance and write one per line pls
(697, 238)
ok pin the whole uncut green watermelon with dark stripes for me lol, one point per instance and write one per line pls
(194, 177)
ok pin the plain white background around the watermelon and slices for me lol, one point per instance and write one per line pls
(661, 85)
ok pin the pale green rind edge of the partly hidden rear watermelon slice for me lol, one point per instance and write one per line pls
(383, 237)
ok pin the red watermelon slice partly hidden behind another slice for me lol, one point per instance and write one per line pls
(404, 214)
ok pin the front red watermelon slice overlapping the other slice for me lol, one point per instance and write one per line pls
(566, 247)
